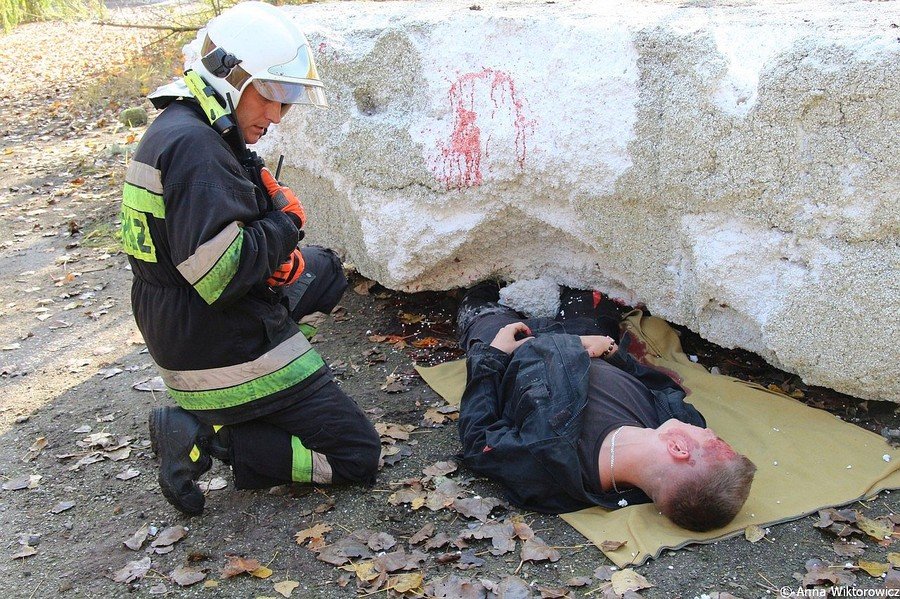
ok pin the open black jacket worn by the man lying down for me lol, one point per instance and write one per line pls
(520, 419)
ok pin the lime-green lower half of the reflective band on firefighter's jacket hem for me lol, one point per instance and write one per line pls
(217, 399)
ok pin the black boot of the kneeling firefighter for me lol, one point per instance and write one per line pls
(178, 439)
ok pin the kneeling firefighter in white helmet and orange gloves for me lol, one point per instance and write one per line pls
(219, 282)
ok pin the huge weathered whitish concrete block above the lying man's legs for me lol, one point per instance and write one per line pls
(733, 167)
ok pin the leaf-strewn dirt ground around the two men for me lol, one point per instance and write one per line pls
(79, 478)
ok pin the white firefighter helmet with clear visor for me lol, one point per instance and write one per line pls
(254, 41)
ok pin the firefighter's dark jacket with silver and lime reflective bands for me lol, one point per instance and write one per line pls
(202, 239)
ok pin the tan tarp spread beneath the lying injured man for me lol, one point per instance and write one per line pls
(807, 459)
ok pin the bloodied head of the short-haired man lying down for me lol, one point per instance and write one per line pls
(703, 482)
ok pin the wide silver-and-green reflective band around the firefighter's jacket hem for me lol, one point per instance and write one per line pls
(217, 388)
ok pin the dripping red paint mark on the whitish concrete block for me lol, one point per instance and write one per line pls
(461, 156)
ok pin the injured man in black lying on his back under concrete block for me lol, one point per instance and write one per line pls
(563, 417)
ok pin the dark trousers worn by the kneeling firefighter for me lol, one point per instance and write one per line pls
(328, 422)
